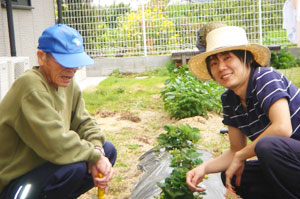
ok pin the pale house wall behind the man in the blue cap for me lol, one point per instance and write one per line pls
(28, 25)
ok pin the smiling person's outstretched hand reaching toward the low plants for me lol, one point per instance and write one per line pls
(194, 177)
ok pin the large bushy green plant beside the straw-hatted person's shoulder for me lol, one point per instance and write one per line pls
(185, 96)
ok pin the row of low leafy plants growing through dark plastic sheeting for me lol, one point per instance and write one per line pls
(179, 141)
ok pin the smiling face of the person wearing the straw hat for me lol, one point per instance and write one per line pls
(229, 71)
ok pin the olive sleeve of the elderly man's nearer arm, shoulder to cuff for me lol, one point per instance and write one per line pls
(41, 128)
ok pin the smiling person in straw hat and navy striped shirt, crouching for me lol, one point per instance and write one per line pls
(261, 104)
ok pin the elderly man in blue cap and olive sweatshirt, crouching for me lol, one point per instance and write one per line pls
(50, 147)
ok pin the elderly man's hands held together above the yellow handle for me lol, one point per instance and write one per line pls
(104, 167)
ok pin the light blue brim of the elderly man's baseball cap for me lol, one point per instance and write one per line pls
(73, 60)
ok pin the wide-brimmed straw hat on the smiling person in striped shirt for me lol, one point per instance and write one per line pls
(223, 39)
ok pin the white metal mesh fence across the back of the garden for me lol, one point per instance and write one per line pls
(153, 27)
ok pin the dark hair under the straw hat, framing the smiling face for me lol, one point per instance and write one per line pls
(240, 55)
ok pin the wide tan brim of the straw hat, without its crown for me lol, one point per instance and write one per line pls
(197, 64)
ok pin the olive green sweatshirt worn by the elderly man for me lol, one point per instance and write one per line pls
(40, 124)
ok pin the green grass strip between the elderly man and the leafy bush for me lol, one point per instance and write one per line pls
(126, 92)
